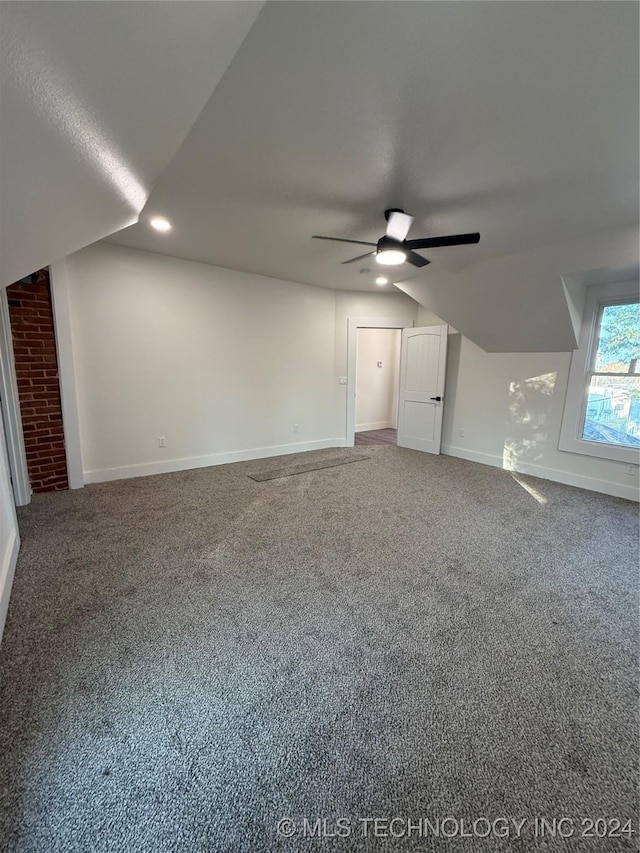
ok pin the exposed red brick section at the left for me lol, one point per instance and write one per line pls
(34, 348)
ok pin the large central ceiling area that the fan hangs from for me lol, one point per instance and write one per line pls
(519, 120)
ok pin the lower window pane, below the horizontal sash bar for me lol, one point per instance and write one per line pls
(613, 411)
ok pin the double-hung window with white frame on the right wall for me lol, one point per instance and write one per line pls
(602, 409)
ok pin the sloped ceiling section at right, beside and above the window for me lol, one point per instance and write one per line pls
(529, 301)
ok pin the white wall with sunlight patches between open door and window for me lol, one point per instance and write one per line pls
(510, 408)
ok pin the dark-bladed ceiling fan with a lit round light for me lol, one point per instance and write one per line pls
(393, 248)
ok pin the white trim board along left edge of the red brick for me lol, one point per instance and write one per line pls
(11, 414)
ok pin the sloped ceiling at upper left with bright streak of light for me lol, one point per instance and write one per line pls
(95, 99)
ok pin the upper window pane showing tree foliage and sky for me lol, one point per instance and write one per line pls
(619, 341)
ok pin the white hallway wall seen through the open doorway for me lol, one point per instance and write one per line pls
(377, 386)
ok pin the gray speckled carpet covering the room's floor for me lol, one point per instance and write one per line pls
(190, 658)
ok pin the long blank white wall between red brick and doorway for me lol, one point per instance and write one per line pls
(220, 363)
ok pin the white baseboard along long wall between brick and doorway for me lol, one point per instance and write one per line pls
(169, 466)
